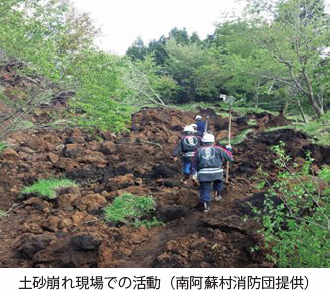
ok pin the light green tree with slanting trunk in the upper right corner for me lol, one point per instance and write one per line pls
(294, 39)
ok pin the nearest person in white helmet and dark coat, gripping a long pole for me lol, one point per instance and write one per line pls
(206, 169)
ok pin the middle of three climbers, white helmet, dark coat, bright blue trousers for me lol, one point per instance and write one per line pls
(186, 148)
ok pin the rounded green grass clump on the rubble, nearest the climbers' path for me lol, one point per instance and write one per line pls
(129, 208)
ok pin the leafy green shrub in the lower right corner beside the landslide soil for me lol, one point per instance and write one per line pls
(297, 226)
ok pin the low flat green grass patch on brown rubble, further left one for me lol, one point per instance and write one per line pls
(47, 187)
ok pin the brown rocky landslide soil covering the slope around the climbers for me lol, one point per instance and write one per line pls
(70, 231)
